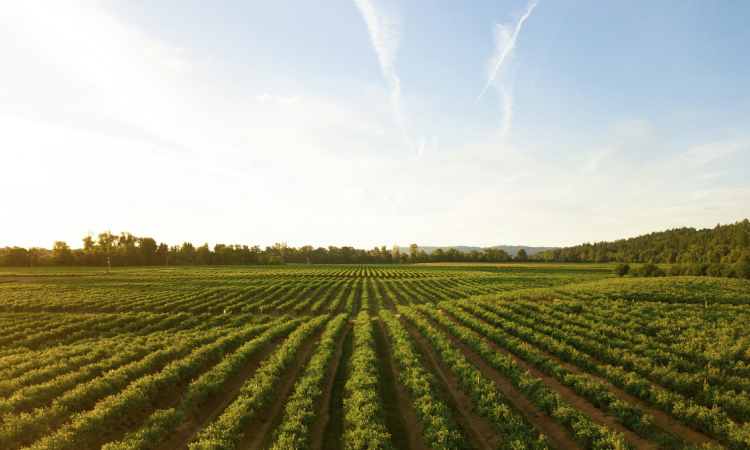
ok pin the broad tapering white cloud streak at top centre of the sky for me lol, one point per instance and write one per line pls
(384, 25)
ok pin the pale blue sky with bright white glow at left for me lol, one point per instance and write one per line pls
(371, 122)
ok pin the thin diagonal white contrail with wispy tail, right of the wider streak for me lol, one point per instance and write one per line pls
(505, 37)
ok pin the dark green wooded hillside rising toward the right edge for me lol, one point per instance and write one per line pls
(724, 244)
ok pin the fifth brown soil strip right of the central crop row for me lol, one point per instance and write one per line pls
(664, 421)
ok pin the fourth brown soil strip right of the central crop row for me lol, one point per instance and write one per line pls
(568, 395)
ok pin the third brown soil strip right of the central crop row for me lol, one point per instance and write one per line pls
(556, 434)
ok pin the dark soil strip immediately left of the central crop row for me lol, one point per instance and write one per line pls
(329, 426)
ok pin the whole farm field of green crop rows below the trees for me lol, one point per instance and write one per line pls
(514, 356)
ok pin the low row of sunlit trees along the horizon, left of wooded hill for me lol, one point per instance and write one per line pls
(128, 250)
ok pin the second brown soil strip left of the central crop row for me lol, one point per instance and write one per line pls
(259, 434)
